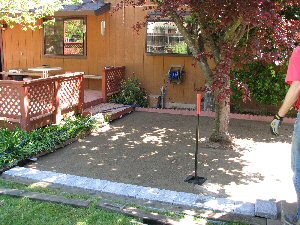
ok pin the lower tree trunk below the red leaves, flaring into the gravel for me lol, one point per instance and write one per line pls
(220, 133)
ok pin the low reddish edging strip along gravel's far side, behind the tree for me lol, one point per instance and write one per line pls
(212, 114)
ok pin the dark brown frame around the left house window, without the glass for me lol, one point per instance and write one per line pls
(84, 56)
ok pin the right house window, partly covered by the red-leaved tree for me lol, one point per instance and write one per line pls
(164, 38)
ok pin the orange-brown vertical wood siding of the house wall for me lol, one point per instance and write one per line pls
(120, 45)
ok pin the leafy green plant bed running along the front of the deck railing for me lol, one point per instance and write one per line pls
(18, 145)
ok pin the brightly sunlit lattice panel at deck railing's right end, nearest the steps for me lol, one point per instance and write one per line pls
(69, 92)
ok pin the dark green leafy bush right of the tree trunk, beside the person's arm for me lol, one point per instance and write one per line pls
(266, 83)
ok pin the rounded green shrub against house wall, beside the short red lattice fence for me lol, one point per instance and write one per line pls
(131, 94)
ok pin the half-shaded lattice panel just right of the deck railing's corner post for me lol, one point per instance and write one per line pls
(41, 98)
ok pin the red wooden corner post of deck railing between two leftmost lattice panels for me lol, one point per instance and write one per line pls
(24, 108)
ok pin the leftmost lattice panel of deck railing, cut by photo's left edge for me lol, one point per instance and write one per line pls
(9, 101)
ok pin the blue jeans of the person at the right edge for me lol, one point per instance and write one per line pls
(296, 160)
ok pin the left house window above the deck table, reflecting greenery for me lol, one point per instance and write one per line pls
(65, 37)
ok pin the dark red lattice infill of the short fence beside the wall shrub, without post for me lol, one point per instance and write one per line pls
(114, 78)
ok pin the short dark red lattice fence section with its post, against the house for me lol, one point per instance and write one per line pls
(111, 81)
